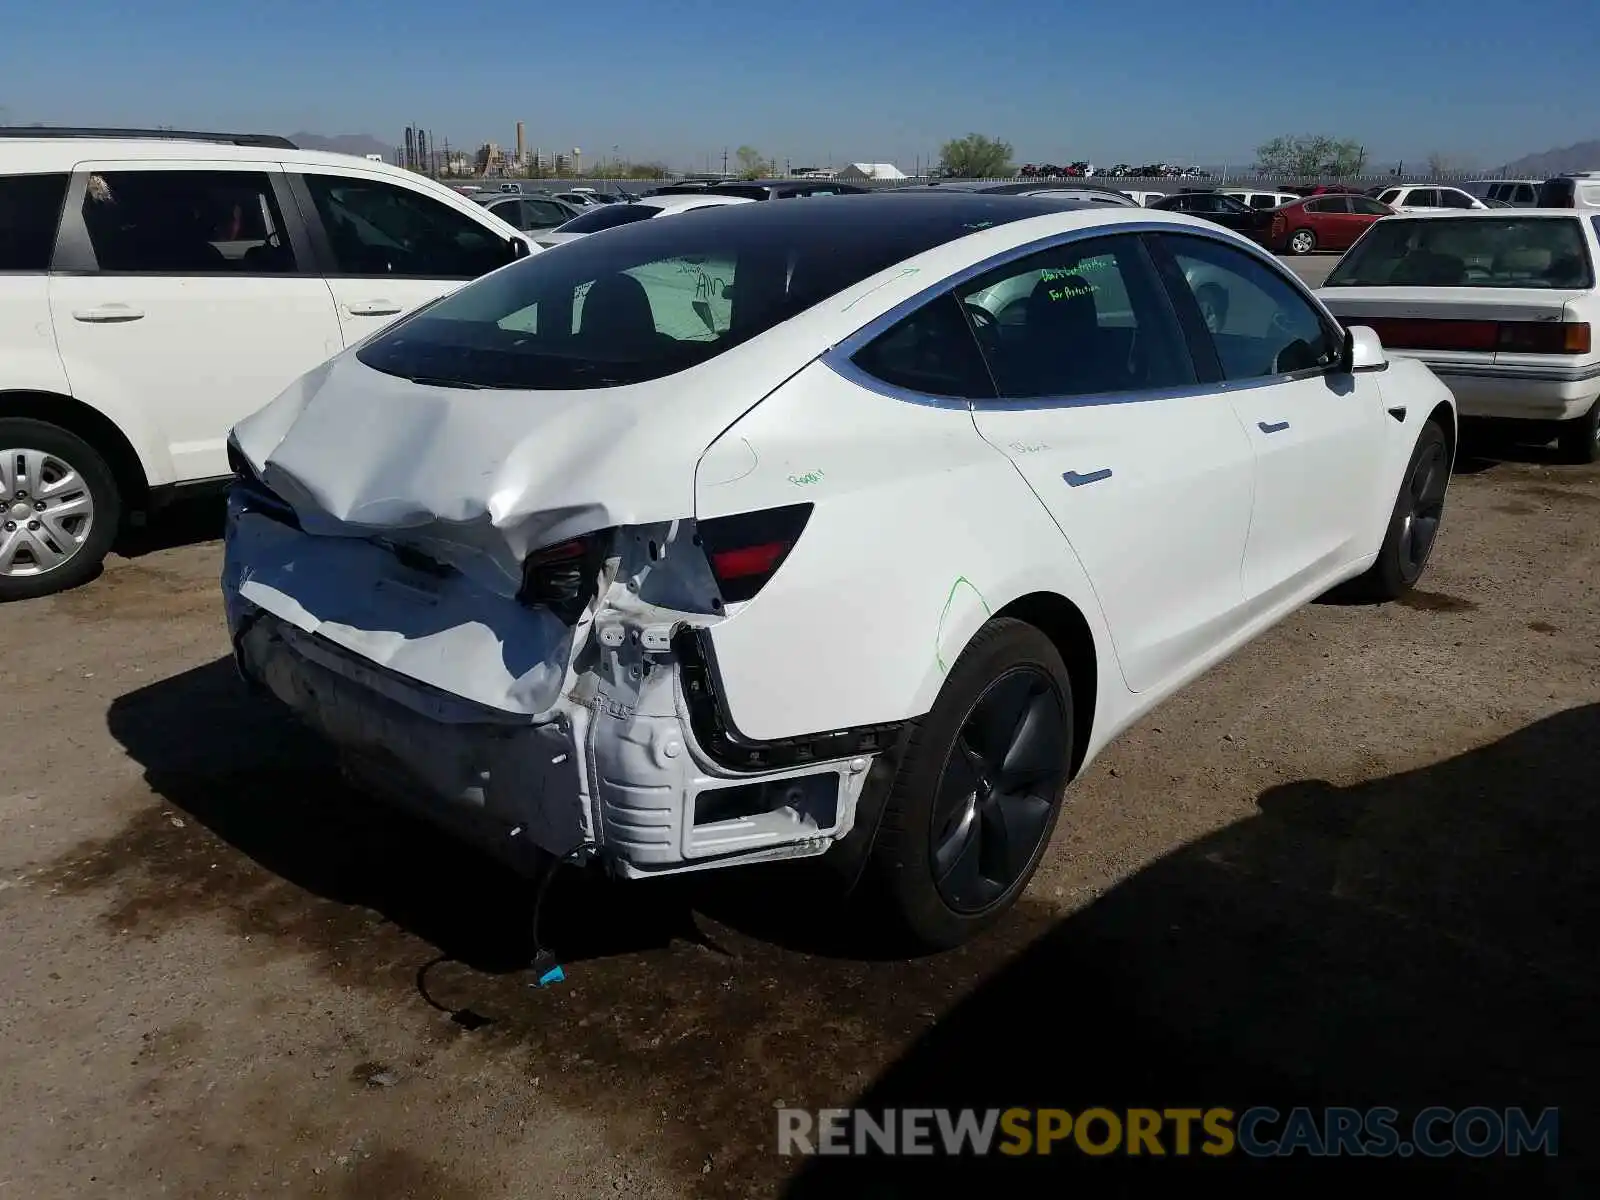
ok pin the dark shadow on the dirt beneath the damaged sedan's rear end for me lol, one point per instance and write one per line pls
(239, 764)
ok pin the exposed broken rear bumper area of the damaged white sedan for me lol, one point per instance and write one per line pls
(628, 777)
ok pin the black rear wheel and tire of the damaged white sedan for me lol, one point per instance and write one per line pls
(978, 791)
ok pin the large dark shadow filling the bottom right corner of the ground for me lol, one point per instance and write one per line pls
(1422, 940)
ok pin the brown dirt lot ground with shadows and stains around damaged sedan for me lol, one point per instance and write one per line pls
(1356, 866)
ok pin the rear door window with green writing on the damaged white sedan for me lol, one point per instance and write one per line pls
(1082, 319)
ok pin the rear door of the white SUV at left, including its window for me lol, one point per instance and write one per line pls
(186, 292)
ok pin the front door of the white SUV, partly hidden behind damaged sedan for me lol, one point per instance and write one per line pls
(388, 247)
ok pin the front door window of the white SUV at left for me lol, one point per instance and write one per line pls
(377, 228)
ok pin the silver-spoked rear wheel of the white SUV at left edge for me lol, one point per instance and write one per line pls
(58, 510)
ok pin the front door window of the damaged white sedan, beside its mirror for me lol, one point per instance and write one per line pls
(1260, 324)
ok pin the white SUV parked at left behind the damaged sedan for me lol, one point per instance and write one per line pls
(159, 287)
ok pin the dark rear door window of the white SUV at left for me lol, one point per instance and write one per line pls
(186, 223)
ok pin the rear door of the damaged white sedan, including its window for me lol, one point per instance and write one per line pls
(1148, 474)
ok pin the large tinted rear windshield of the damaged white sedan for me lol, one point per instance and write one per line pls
(662, 297)
